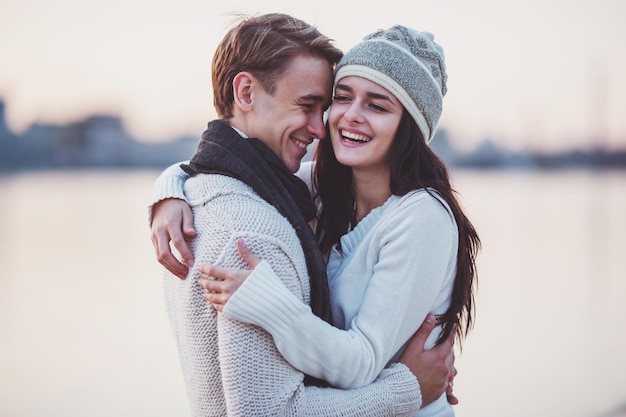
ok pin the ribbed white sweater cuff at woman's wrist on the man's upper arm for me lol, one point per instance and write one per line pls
(263, 300)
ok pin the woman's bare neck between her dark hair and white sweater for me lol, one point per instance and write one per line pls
(371, 190)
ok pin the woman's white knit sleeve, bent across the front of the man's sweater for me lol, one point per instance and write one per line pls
(407, 281)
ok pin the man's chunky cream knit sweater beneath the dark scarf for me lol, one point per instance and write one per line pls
(232, 368)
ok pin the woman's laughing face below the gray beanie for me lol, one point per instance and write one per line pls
(363, 120)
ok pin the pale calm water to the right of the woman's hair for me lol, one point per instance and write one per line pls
(550, 335)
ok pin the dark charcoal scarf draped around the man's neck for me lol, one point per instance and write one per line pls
(222, 150)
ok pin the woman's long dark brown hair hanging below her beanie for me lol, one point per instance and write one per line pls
(414, 165)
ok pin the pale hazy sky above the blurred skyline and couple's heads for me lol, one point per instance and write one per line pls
(538, 74)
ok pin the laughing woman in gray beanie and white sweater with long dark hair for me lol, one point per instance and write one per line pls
(398, 243)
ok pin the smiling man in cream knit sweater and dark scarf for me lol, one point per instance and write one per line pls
(272, 78)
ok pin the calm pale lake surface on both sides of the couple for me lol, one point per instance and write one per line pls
(83, 330)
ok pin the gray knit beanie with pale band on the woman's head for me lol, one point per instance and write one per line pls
(409, 64)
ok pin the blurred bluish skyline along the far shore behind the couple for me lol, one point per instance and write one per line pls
(101, 141)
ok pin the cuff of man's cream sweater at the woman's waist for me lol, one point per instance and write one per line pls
(403, 387)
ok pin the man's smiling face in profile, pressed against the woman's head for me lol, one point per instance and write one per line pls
(292, 118)
